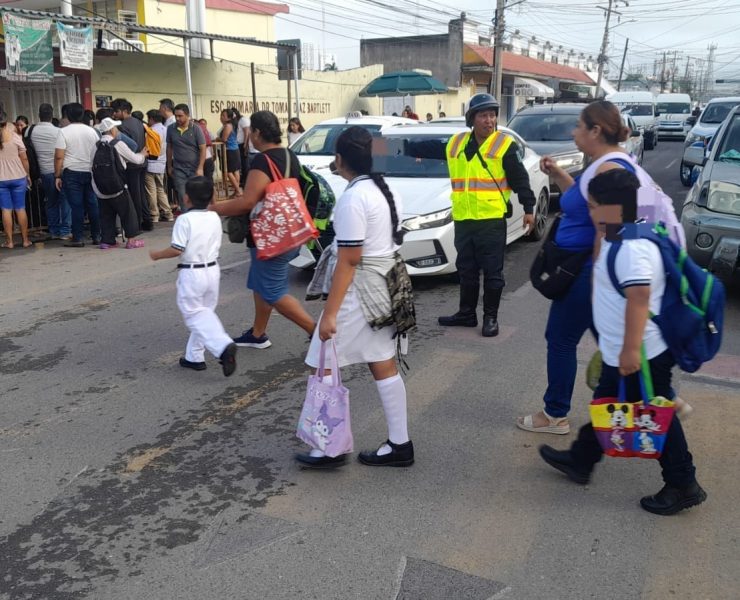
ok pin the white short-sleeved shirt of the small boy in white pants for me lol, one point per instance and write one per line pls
(198, 234)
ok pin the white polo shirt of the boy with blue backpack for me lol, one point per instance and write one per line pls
(638, 262)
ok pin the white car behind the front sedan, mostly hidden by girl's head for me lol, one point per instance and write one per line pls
(315, 148)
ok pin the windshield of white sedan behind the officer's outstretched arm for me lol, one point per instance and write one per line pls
(399, 156)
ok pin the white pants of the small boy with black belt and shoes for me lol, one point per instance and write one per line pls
(197, 297)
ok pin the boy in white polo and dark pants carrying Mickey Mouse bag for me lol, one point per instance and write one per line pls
(624, 329)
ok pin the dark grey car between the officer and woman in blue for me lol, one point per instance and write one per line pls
(548, 130)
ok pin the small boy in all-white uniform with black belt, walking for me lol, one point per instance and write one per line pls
(196, 240)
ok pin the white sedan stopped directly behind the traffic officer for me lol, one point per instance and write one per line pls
(424, 186)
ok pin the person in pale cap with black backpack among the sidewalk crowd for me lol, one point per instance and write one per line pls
(117, 205)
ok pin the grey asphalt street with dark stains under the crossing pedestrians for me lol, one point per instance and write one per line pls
(124, 477)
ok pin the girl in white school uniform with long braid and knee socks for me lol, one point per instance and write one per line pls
(367, 226)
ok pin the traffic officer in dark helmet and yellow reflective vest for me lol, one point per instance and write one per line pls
(485, 167)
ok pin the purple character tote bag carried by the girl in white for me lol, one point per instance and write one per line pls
(325, 422)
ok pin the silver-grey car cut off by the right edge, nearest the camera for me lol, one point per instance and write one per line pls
(711, 213)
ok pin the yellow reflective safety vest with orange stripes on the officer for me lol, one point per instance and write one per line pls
(475, 195)
